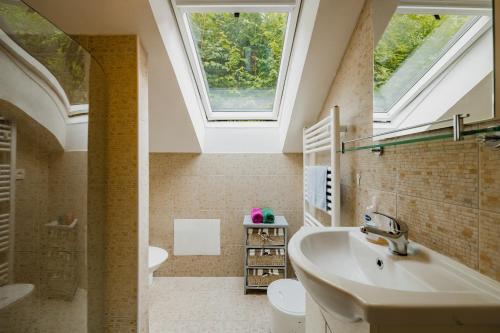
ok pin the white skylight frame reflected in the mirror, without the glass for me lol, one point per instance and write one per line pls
(463, 42)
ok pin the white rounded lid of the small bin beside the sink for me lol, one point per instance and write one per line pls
(288, 296)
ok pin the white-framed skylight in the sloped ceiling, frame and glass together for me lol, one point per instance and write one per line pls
(239, 57)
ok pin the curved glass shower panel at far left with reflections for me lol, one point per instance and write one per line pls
(44, 116)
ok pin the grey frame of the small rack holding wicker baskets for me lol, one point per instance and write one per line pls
(279, 222)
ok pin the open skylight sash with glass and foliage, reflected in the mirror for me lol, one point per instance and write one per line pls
(414, 50)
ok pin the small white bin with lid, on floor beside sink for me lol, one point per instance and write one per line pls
(288, 300)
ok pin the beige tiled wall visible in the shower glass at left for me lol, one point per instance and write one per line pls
(54, 184)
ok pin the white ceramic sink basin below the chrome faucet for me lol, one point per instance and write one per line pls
(342, 272)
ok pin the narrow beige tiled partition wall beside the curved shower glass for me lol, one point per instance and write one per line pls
(114, 185)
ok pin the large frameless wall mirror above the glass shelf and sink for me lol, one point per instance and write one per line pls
(432, 59)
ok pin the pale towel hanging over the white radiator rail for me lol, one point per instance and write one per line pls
(316, 186)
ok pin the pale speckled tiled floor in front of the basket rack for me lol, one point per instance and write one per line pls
(206, 304)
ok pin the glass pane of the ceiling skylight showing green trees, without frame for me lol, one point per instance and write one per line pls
(240, 55)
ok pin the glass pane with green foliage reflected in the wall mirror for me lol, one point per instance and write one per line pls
(410, 46)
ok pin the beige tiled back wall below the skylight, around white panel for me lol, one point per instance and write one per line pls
(223, 186)
